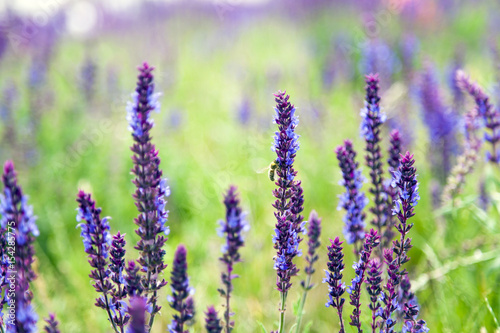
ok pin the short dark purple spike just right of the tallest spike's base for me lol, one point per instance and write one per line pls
(180, 292)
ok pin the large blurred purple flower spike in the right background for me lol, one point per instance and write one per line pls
(441, 122)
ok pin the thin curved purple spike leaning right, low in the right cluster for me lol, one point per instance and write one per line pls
(372, 240)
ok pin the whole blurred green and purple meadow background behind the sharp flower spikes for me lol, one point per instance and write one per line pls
(67, 70)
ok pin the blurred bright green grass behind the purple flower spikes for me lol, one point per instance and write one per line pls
(205, 71)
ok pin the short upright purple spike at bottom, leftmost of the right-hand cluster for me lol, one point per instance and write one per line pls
(334, 279)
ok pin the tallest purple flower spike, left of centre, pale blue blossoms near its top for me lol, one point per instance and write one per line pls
(152, 189)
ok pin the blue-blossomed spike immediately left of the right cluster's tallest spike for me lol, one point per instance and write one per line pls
(353, 201)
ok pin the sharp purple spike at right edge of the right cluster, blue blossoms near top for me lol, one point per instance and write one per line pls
(405, 181)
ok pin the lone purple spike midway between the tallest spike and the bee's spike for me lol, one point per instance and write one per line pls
(232, 229)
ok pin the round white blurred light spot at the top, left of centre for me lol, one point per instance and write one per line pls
(81, 18)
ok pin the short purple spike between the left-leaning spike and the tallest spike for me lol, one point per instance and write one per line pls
(117, 267)
